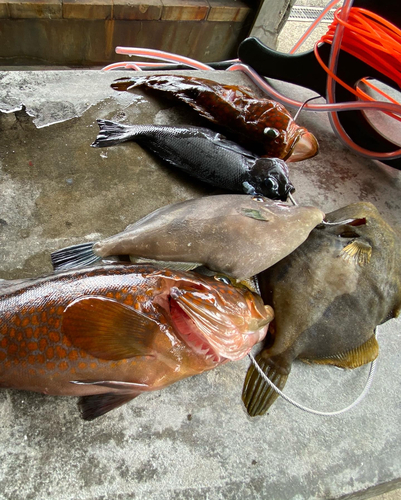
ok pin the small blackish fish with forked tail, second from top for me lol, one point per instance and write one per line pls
(205, 155)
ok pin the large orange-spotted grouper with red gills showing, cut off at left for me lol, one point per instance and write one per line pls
(111, 333)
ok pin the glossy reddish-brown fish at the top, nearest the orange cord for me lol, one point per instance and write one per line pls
(261, 125)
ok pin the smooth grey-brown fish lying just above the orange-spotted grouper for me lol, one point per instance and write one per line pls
(238, 235)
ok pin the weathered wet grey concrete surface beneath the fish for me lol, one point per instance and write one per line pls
(194, 439)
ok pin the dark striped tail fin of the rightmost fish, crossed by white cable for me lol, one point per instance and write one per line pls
(257, 394)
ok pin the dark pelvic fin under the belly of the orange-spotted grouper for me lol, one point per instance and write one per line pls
(96, 405)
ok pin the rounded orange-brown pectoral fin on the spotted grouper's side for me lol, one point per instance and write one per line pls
(107, 329)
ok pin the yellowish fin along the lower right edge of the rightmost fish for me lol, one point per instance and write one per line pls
(353, 358)
